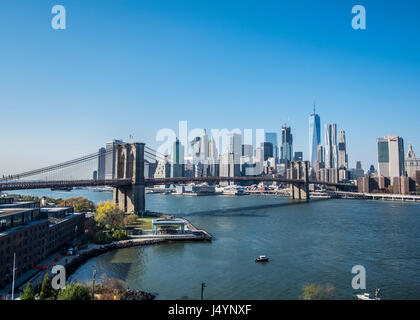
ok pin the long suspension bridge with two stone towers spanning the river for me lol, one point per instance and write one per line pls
(129, 182)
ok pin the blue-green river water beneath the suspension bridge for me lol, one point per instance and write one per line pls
(317, 242)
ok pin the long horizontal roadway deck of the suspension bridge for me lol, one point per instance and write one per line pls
(117, 183)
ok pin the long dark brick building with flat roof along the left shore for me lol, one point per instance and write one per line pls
(33, 234)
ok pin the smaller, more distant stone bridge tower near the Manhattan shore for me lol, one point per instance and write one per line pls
(299, 170)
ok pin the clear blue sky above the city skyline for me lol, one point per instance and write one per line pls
(133, 67)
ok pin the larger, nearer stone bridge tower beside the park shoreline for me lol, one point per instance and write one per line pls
(129, 164)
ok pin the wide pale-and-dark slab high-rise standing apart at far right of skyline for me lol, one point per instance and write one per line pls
(391, 156)
